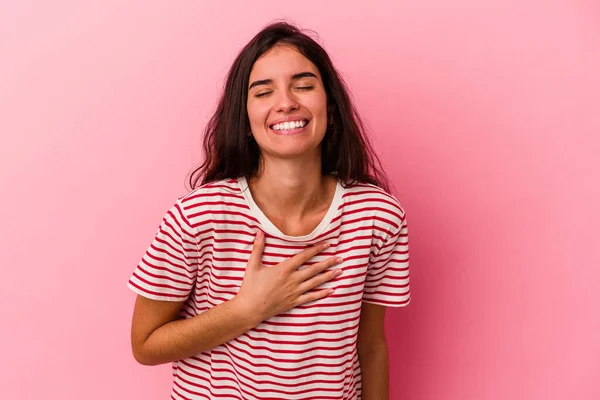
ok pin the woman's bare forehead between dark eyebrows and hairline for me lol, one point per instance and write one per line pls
(281, 62)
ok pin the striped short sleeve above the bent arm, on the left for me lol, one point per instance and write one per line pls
(168, 269)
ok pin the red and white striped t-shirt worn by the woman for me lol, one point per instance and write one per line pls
(199, 256)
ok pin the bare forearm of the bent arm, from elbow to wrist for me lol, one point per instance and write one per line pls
(189, 337)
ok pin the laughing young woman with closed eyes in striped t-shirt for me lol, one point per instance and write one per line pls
(271, 278)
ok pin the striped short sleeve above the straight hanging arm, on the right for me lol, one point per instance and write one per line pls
(387, 280)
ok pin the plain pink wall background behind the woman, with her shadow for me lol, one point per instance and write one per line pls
(487, 117)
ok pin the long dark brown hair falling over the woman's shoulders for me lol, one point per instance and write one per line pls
(346, 151)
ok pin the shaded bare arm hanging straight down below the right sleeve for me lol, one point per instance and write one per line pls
(373, 352)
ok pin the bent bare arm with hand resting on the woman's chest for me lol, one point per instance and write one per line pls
(157, 336)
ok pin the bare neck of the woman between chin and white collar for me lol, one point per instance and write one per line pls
(296, 186)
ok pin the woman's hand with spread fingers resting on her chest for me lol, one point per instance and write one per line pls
(268, 291)
